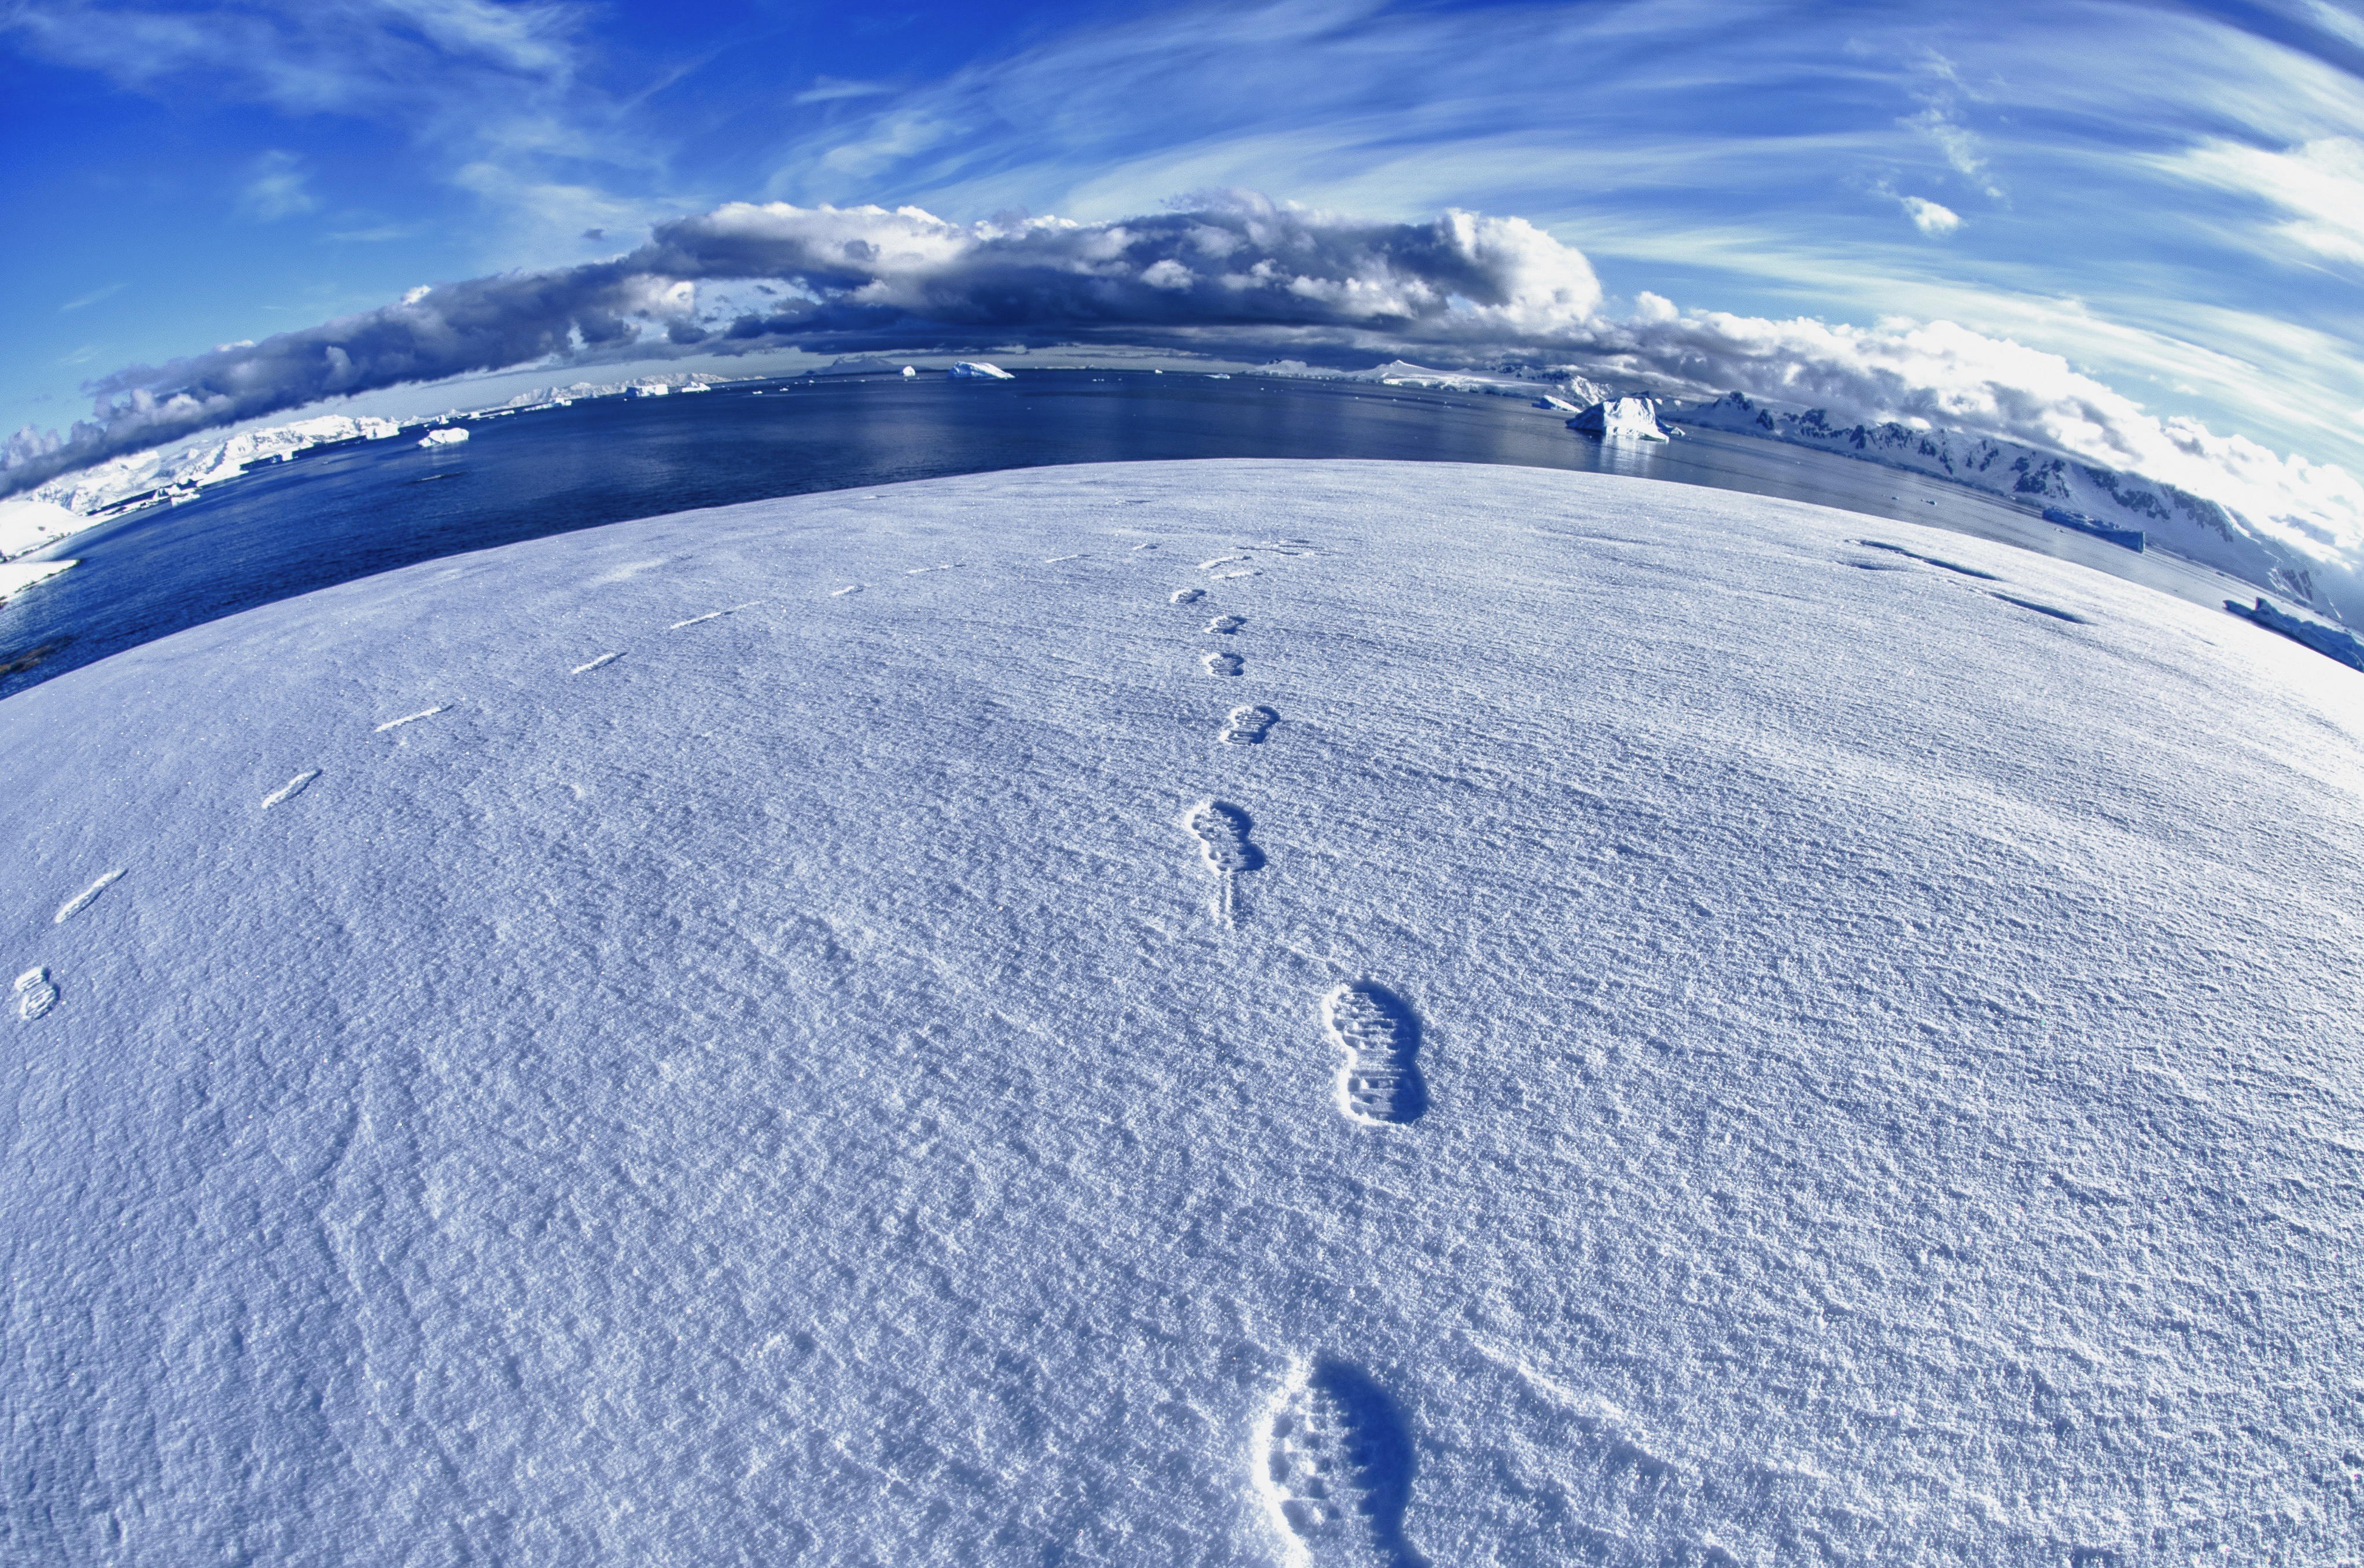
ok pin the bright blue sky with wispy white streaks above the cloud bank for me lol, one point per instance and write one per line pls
(2169, 197)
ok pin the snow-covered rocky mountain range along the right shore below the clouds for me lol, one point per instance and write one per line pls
(2181, 521)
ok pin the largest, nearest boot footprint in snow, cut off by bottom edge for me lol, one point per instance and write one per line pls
(1334, 1467)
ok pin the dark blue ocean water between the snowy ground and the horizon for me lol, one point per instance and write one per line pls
(351, 512)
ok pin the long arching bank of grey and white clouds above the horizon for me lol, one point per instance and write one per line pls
(1230, 276)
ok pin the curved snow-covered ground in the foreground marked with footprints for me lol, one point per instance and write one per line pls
(1883, 1028)
